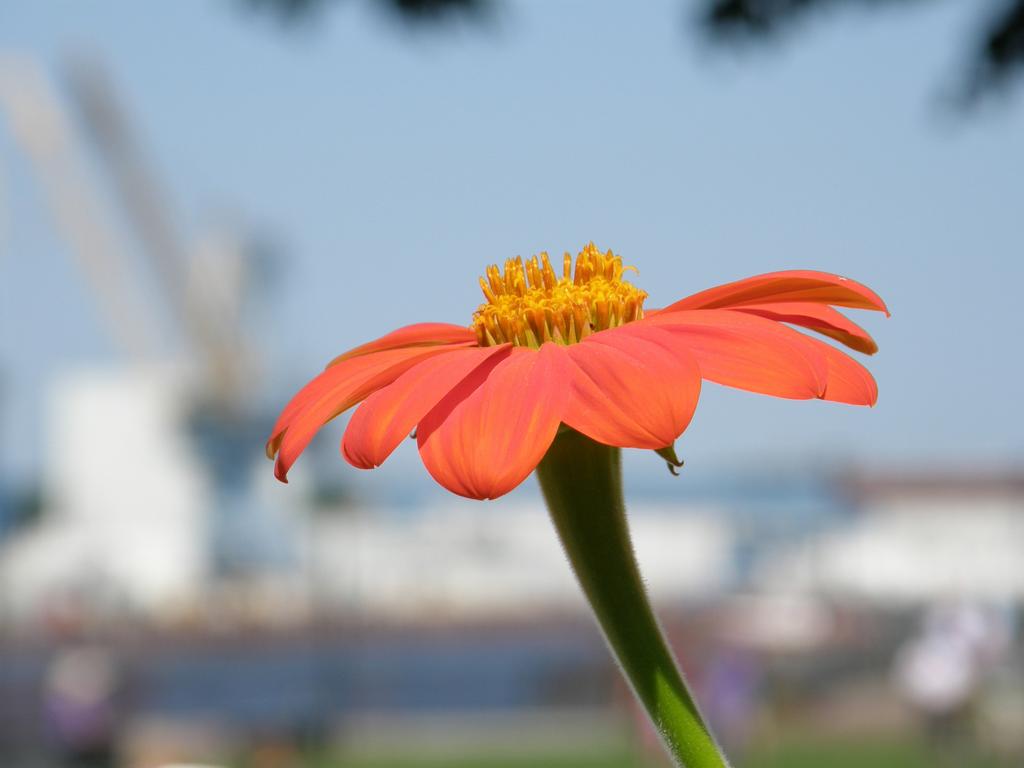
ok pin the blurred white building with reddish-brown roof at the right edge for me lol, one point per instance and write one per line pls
(916, 539)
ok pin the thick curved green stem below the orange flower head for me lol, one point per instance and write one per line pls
(582, 484)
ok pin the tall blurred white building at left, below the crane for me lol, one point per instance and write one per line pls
(126, 499)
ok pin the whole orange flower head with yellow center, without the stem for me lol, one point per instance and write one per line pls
(544, 351)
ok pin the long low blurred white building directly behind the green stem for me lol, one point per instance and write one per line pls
(500, 559)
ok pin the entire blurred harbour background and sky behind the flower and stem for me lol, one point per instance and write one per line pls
(202, 203)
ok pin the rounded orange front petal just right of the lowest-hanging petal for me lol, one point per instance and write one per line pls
(634, 387)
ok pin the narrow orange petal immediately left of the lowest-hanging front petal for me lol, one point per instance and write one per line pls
(388, 417)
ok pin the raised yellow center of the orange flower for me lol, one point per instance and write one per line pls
(528, 305)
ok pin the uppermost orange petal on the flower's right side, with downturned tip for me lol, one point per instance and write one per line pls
(794, 285)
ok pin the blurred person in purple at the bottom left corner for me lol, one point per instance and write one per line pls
(80, 702)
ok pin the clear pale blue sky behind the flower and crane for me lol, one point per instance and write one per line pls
(395, 166)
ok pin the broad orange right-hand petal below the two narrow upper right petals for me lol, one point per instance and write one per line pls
(749, 353)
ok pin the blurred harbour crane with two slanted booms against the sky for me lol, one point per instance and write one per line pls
(203, 285)
